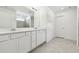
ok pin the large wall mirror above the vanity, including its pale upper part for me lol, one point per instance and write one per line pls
(24, 18)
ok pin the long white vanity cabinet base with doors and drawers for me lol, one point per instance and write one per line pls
(21, 41)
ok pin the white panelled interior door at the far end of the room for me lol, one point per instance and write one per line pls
(60, 26)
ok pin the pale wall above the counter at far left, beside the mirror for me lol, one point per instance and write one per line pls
(7, 18)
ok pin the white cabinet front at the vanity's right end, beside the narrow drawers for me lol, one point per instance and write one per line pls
(40, 37)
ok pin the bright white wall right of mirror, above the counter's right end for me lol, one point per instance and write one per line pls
(40, 19)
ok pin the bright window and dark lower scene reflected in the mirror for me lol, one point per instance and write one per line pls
(24, 20)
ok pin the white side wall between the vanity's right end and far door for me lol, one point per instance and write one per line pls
(50, 25)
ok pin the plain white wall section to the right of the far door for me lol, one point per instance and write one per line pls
(70, 24)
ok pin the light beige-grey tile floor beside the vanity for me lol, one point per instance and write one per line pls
(58, 45)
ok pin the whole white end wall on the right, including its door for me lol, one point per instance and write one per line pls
(66, 25)
